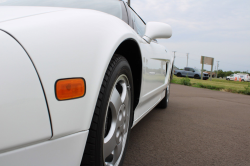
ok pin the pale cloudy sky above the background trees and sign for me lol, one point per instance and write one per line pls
(213, 28)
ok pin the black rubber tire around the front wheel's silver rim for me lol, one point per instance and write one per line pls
(93, 153)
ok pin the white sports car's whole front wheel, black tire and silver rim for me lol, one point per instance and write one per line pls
(112, 119)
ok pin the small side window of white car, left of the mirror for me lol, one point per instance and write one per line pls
(139, 25)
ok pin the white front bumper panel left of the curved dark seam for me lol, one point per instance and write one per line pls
(24, 117)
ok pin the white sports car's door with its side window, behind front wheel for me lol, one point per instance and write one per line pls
(155, 63)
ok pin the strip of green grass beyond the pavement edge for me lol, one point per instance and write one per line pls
(215, 84)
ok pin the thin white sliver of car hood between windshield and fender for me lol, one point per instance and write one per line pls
(15, 12)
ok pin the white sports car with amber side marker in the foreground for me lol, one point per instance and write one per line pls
(76, 76)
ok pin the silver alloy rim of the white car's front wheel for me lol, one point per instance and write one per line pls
(116, 130)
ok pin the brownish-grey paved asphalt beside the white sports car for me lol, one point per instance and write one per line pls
(199, 127)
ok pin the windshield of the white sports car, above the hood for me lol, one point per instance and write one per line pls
(108, 6)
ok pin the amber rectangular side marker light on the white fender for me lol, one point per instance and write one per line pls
(70, 88)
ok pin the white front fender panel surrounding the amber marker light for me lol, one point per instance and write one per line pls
(70, 43)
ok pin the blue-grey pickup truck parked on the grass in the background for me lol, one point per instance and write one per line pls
(191, 72)
